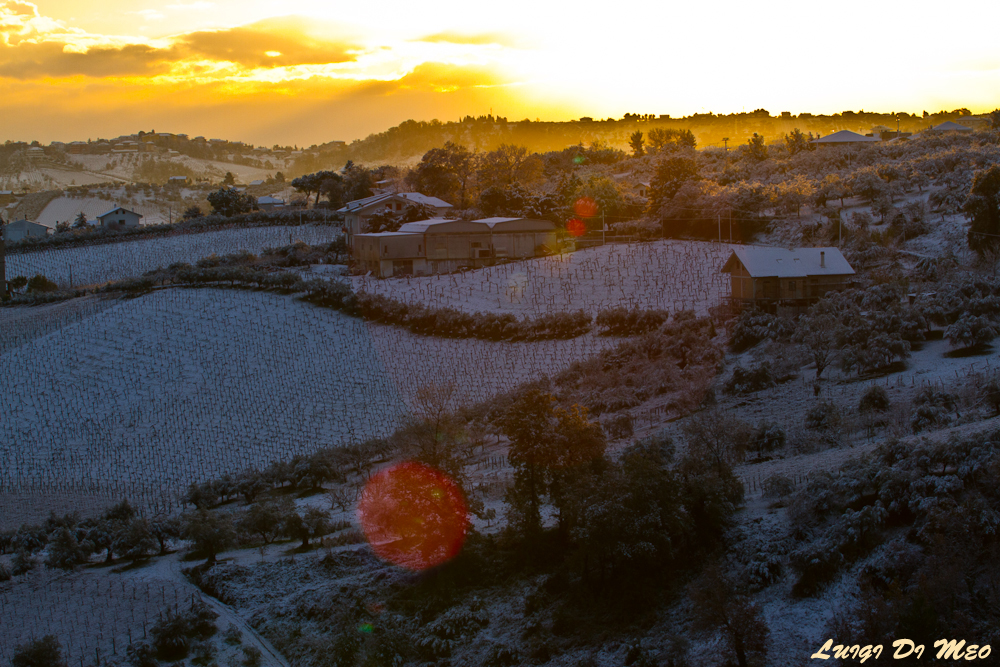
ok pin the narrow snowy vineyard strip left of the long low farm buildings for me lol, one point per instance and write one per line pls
(97, 264)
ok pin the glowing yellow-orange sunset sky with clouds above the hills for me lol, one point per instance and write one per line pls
(309, 71)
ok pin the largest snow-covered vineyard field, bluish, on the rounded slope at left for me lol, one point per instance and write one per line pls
(149, 395)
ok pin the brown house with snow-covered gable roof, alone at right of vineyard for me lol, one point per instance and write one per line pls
(772, 276)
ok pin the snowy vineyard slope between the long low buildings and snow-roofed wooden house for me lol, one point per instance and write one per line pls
(668, 275)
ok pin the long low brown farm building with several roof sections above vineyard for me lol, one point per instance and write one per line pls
(439, 245)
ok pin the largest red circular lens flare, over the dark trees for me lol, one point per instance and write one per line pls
(413, 516)
